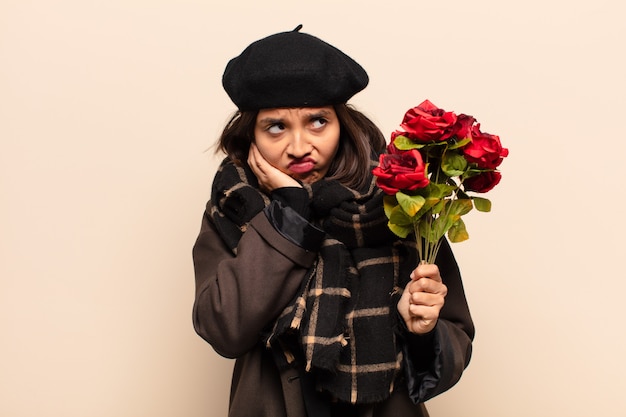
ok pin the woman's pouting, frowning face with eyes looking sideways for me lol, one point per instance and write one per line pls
(301, 142)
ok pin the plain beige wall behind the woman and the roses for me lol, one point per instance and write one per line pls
(107, 108)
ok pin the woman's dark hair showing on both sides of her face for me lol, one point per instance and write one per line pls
(360, 140)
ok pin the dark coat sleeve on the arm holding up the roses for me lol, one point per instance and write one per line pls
(435, 362)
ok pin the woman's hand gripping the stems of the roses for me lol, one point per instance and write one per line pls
(422, 299)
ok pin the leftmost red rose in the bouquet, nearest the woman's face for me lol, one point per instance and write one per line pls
(401, 171)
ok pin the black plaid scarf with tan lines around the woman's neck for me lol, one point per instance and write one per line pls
(341, 323)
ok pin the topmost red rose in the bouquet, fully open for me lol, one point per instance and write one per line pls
(427, 123)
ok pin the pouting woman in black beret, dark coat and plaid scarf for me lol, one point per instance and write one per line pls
(297, 275)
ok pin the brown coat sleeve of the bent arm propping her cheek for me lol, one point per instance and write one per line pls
(238, 296)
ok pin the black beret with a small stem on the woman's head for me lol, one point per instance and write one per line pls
(292, 69)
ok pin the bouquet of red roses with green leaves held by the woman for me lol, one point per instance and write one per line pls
(431, 171)
